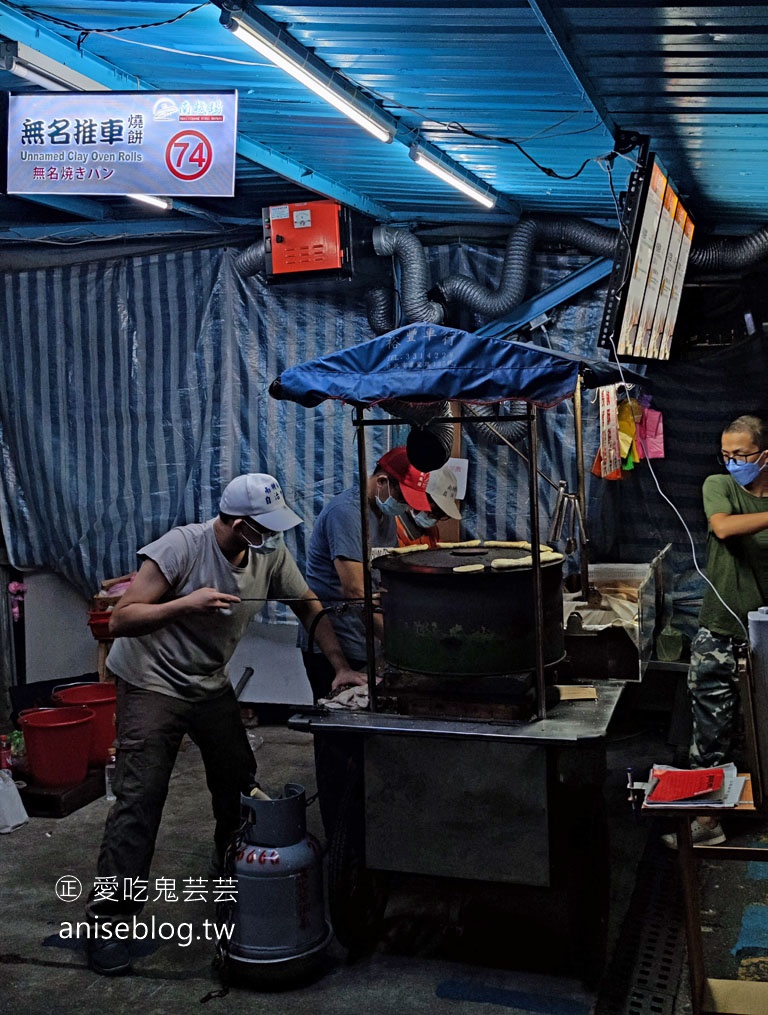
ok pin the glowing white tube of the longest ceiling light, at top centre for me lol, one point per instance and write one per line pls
(271, 47)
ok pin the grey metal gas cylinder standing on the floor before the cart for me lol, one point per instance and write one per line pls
(278, 923)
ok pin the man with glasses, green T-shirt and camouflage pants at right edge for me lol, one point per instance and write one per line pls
(737, 509)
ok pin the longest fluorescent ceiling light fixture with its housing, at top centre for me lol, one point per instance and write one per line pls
(289, 55)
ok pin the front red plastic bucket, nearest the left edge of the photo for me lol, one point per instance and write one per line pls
(57, 742)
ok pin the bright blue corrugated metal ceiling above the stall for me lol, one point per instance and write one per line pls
(525, 96)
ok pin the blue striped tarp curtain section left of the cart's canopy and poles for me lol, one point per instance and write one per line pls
(133, 390)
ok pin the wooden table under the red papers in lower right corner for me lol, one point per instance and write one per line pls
(735, 997)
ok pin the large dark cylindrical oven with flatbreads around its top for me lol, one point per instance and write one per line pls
(479, 621)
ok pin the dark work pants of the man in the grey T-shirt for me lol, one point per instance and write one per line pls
(151, 728)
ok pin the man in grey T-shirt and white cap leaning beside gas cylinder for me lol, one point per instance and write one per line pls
(176, 629)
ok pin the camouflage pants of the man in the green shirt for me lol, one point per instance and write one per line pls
(714, 689)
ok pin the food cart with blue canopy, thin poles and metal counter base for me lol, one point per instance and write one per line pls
(466, 799)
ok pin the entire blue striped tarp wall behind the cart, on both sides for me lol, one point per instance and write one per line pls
(133, 390)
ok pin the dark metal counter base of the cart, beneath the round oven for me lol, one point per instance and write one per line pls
(510, 804)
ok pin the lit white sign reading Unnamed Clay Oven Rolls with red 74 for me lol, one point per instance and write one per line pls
(109, 144)
